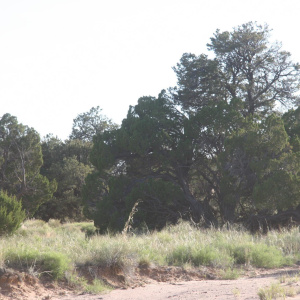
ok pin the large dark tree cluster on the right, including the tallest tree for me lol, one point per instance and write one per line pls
(215, 140)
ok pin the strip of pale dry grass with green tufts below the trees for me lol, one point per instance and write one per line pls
(57, 250)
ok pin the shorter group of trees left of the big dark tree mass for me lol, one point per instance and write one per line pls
(47, 175)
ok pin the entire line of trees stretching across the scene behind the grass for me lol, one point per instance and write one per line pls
(221, 146)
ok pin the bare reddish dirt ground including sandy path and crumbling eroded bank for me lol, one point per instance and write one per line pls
(150, 284)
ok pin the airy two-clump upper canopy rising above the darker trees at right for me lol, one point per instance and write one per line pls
(245, 66)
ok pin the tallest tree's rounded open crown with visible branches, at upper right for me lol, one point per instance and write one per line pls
(249, 63)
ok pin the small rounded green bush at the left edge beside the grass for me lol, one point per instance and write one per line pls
(11, 213)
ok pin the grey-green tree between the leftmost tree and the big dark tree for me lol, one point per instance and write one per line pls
(67, 164)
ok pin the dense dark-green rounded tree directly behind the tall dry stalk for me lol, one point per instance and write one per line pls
(147, 159)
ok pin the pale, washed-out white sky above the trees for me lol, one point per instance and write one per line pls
(60, 58)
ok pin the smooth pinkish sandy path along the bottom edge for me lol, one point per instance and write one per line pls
(242, 289)
